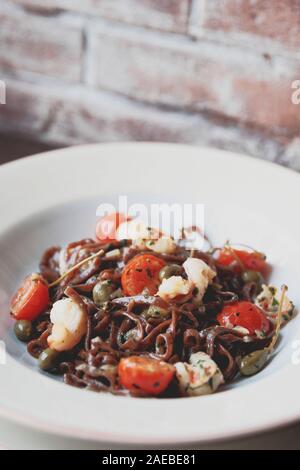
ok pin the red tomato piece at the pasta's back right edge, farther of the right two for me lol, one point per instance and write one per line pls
(250, 260)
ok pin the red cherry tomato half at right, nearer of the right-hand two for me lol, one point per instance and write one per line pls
(246, 315)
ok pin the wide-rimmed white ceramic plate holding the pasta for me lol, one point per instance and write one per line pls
(52, 199)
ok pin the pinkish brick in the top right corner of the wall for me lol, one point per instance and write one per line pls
(265, 19)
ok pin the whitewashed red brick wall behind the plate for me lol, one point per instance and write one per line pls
(214, 72)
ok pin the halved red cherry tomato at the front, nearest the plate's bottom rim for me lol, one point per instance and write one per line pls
(148, 375)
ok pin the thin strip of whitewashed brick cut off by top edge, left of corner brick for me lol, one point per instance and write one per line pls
(169, 15)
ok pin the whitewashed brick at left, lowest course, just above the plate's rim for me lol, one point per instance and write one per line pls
(75, 115)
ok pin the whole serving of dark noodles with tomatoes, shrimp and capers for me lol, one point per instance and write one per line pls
(149, 316)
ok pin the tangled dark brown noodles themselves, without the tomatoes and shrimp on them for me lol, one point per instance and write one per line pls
(120, 325)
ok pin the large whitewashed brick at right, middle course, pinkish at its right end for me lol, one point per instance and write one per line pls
(208, 77)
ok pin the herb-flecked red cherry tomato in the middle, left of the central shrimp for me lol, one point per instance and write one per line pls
(142, 272)
